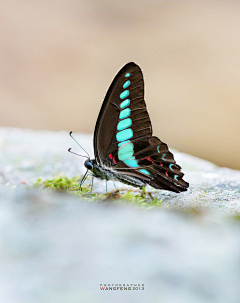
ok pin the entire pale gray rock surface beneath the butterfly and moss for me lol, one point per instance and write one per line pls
(57, 248)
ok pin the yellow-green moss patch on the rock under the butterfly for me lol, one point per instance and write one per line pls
(71, 185)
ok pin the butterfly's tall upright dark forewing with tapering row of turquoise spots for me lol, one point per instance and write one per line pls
(114, 104)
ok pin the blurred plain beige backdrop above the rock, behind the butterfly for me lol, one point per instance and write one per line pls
(58, 59)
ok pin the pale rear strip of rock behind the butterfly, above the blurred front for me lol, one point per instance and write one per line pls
(27, 155)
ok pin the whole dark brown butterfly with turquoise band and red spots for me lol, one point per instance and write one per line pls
(124, 147)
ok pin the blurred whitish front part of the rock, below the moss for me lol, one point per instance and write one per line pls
(55, 248)
